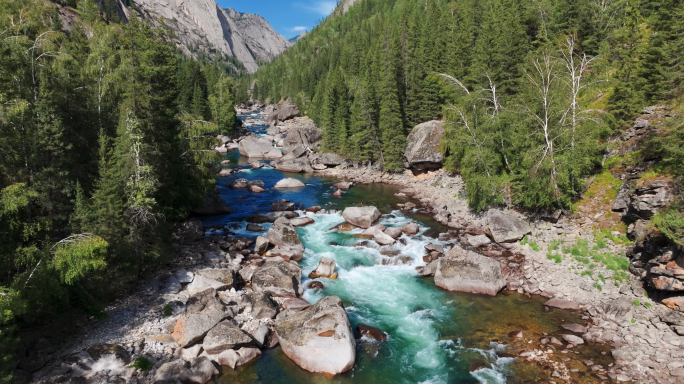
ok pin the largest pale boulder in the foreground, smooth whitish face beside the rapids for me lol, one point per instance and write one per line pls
(319, 339)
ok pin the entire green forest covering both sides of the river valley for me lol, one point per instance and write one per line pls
(106, 125)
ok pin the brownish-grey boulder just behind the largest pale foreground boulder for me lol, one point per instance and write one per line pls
(279, 279)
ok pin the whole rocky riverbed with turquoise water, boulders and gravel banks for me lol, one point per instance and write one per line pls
(305, 275)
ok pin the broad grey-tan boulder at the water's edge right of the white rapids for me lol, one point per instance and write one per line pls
(466, 271)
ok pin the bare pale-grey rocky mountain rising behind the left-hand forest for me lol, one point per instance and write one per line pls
(201, 25)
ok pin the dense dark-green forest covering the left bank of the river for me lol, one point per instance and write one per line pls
(100, 127)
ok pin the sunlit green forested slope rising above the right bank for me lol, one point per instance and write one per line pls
(531, 90)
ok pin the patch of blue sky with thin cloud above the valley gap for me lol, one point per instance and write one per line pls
(287, 17)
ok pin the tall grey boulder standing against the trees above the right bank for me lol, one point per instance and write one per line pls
(423, 150)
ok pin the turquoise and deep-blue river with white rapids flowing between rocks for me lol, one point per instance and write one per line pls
(434, 336)
